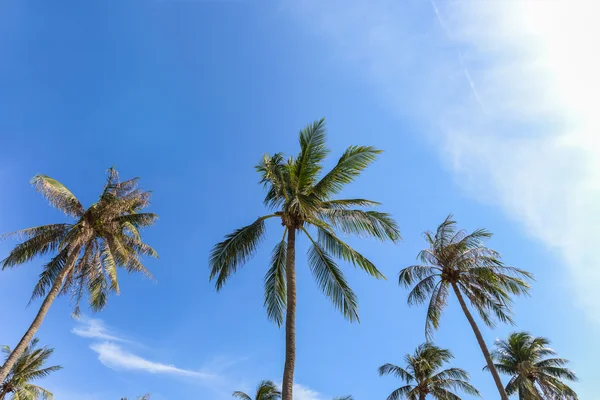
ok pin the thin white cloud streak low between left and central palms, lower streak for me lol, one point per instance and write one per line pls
(116, 357)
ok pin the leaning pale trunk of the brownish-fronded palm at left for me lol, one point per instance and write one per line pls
(39, 318)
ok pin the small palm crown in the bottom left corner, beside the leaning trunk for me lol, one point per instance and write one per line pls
(29, 367)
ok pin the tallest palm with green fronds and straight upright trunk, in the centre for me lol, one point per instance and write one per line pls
(300, 198)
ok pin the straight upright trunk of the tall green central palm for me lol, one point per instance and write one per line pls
(290, 318)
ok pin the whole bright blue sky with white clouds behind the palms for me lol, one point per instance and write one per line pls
(484, 109)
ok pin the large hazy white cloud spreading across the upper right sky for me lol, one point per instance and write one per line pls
(535, 149)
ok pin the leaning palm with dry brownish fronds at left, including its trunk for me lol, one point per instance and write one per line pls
(87, 251)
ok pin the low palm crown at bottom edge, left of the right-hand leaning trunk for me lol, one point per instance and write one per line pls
(423, 376)
